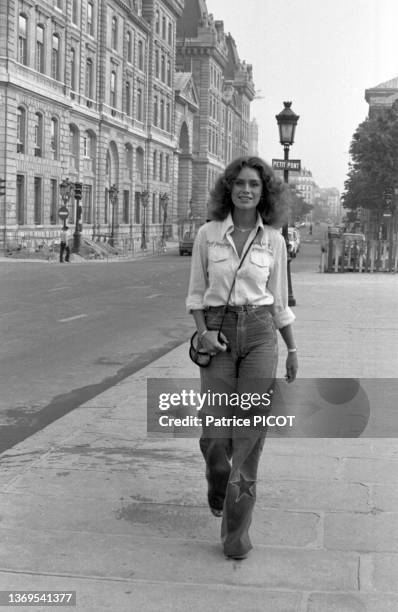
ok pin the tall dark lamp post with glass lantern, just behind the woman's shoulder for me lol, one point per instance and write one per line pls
(287, 121)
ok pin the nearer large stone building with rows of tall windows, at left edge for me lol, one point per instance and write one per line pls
(87, 92)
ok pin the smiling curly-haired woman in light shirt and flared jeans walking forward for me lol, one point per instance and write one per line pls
(245, 205)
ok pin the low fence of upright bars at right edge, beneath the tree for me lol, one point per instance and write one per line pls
(368, 256)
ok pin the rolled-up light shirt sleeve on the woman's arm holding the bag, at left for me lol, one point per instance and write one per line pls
(198, 282)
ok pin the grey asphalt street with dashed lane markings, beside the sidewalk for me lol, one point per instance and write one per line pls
(71, 332)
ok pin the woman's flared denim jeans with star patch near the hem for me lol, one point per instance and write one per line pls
(241, 380)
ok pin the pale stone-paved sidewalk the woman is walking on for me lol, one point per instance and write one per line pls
(92, 504)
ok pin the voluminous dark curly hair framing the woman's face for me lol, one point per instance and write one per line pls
(273, 205)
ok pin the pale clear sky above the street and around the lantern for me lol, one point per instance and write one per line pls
(322, 55)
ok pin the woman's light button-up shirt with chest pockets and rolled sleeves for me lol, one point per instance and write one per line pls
(262, 279)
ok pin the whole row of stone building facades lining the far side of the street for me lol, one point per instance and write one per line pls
(89, 92)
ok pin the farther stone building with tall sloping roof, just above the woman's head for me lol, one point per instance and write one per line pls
(225, 88)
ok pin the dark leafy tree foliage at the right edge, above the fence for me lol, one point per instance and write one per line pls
(374, 167)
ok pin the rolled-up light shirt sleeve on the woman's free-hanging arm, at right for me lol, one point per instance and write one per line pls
(277, 284)
